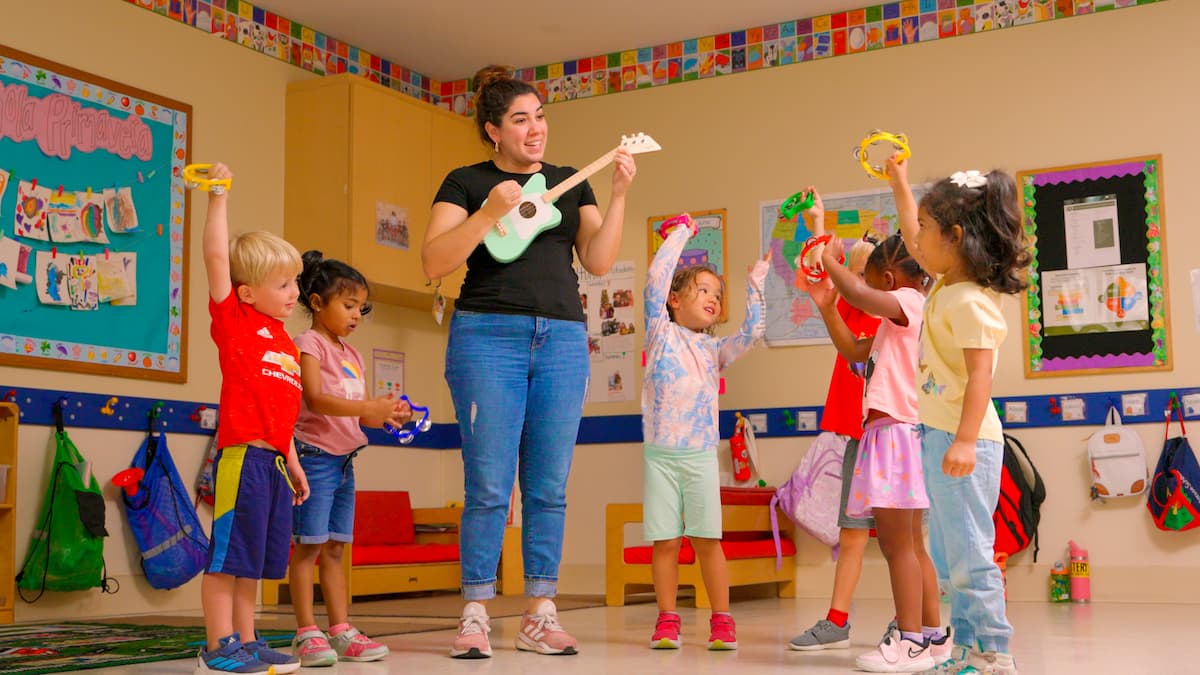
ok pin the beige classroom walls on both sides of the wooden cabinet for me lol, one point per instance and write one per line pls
(1029, 98)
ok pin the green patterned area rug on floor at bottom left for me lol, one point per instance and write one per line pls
(65, 648)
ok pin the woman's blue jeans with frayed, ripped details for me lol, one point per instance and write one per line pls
(518, 385)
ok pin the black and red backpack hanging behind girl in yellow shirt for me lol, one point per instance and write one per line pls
(1019, 509)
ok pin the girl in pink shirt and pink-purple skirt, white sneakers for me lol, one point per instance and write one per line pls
(889, 482)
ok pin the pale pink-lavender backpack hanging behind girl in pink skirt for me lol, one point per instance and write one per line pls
(812, 497)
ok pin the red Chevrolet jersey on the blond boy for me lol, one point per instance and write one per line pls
(260, 377)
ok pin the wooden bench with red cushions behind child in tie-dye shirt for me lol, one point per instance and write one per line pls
(748, 545)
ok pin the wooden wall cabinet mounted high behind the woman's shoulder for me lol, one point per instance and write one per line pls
(352, 145)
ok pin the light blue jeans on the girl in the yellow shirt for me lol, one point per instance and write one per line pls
(962, 536)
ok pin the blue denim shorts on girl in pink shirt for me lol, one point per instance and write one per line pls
(328, 515)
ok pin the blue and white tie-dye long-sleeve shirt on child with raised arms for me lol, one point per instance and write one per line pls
(683, 367)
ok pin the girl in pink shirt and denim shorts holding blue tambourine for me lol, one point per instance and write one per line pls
(328, 437)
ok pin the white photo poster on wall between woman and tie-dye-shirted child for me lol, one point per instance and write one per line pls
(609, 304)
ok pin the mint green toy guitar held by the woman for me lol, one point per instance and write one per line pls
(537, 213)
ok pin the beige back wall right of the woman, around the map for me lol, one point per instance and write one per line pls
(1085, 89)
